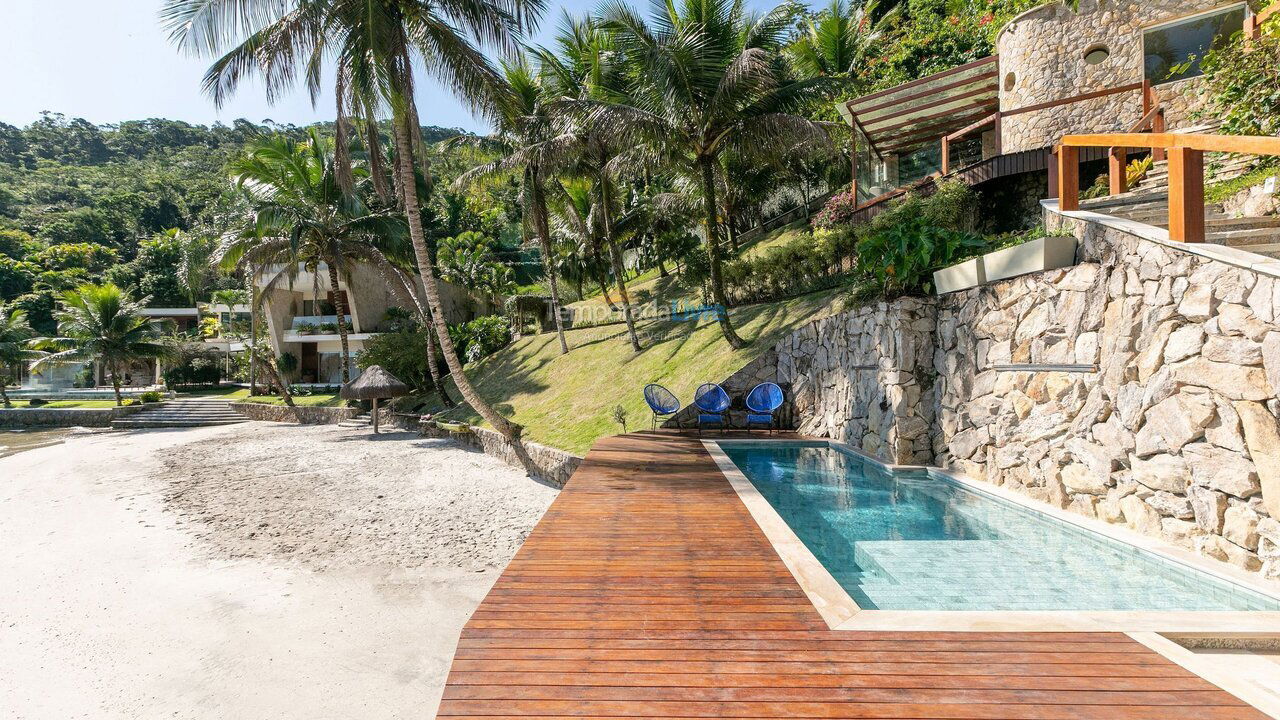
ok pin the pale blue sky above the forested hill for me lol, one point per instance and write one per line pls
(109, 61)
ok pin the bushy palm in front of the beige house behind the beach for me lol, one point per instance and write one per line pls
(303, 215)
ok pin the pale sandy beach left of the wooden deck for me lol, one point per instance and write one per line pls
(254, 571)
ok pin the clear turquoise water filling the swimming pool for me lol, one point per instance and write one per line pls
(906, 541)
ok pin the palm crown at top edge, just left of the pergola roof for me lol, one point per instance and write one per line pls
(835, 43)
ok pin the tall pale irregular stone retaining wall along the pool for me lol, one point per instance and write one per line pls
(1139, 388)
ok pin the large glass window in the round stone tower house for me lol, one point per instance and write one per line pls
(1173, 52)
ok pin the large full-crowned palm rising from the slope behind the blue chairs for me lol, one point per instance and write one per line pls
(706, 80)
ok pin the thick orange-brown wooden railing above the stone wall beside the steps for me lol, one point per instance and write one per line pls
(1186, 170)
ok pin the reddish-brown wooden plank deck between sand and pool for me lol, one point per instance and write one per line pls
(648, 591)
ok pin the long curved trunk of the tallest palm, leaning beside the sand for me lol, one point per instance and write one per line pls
(405, 162)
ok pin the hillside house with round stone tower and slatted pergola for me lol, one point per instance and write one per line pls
(1110, 66)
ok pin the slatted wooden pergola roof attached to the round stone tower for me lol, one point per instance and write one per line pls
(912, 115)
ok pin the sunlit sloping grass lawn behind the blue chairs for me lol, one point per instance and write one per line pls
(568, 400)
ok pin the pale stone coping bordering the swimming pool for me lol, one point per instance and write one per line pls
(842, 613)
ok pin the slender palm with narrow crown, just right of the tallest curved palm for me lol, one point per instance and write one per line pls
(524, 125)
